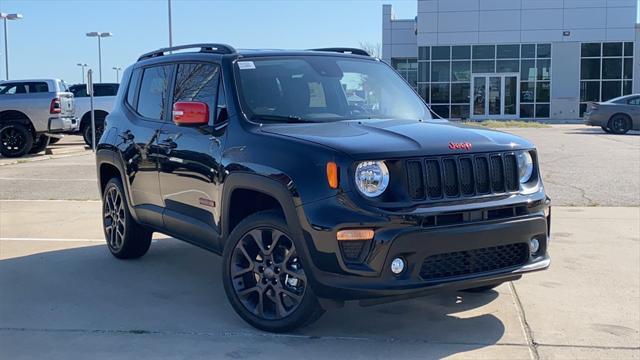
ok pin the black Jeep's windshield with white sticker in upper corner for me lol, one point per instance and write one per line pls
(324, 88)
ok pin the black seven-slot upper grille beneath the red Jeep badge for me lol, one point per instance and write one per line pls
(462, 175)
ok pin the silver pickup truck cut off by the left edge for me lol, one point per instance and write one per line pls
(31, 111)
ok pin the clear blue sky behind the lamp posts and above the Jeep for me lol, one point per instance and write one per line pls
(51, 40)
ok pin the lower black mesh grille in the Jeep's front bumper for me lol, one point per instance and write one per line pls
(477, 261)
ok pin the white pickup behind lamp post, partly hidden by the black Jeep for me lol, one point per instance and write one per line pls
(104, 97)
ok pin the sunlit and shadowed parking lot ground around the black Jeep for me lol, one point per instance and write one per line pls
(63, 296)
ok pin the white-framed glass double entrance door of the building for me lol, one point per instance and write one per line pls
(495, 96)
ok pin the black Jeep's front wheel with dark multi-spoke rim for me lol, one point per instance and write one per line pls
(263, 275)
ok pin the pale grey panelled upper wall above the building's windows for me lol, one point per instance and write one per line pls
(520, 21)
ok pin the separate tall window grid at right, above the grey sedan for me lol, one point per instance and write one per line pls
(606, 71)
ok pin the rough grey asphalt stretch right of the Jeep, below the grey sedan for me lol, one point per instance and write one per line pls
(584, 166)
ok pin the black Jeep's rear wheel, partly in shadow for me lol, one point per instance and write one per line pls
(126, 239)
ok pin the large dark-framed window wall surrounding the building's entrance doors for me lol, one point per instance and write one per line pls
(445, 75)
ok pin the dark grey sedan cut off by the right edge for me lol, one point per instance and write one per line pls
(616, 116)
